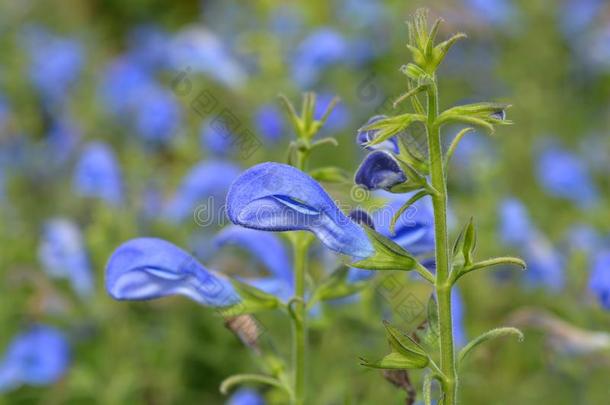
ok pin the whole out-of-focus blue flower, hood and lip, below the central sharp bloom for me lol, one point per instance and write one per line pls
(266, 248)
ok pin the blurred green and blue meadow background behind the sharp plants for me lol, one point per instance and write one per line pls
(110, 129)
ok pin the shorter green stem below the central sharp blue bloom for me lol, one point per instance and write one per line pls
(299, 336)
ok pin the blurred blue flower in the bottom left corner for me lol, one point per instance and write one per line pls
(39, 356)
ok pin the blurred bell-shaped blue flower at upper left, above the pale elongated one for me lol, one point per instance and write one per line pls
(97, 174)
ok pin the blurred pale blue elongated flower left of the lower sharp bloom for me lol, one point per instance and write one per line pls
(63, 254)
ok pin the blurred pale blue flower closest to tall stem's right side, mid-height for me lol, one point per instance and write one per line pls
(515, 225)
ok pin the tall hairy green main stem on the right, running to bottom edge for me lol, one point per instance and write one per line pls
(442, 284)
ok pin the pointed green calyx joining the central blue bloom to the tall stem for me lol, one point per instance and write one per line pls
(388, 255)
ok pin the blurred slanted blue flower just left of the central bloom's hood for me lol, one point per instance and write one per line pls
(204, 187)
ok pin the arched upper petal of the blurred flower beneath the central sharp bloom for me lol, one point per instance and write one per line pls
(264, 246)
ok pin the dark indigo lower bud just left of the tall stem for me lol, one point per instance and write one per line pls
(379, 170)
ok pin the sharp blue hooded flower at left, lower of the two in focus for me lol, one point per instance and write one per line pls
(149, 268)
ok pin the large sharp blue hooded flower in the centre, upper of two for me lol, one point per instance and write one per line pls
(278, 197)
